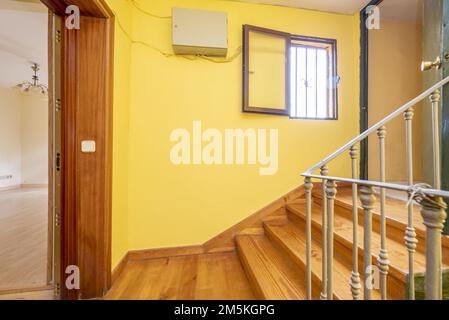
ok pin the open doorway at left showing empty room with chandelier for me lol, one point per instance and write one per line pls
(26, 153)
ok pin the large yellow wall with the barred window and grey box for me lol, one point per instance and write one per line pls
(172, 205)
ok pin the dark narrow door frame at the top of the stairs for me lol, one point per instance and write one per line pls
(364, 78)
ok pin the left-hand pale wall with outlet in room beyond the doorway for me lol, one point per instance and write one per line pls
(10, 136)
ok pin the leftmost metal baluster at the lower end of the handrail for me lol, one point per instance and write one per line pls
(308, 188)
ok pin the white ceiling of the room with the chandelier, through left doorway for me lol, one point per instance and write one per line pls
(23, 39)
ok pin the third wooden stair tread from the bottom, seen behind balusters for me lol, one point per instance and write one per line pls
(398, 254)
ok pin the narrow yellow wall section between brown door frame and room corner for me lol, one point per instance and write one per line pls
(121, 107)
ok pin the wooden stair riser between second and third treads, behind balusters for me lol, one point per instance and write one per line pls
(343, 250)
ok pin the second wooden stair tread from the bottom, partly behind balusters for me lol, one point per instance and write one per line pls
(293, 240)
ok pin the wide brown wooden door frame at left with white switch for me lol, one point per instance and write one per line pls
(86, 178)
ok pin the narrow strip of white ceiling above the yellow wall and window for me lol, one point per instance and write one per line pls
(339, 6)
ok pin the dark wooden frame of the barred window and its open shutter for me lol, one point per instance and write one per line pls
(246, 107)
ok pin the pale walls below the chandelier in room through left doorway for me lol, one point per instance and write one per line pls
(23, 138)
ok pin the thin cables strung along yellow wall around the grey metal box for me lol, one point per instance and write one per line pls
(237, 53)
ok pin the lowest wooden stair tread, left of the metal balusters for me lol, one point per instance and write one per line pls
(269, 271)
